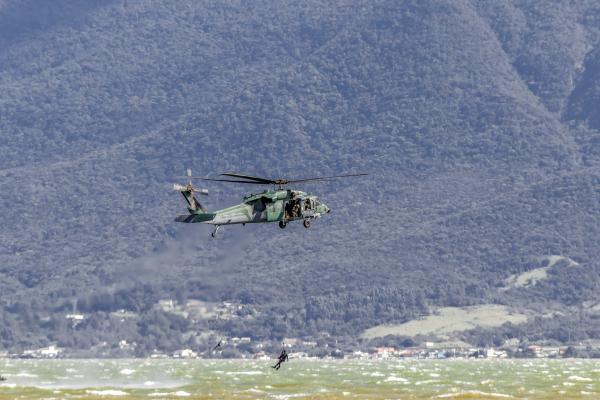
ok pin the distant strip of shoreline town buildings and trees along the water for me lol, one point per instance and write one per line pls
(246, 348)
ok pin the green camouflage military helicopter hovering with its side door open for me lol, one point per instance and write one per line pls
(276, 205)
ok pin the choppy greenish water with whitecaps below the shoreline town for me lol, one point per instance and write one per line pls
(300, 379)
